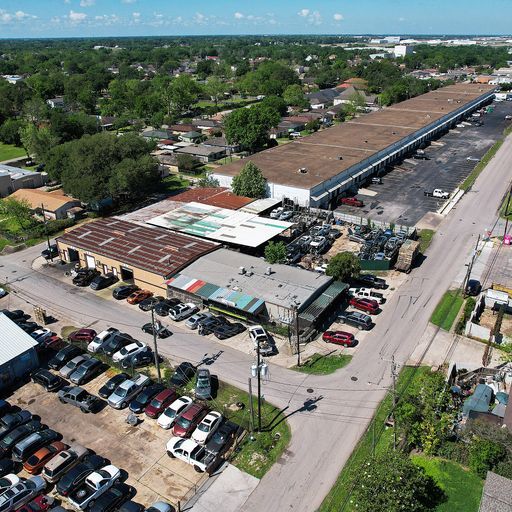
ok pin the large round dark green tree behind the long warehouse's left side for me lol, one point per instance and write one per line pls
(250, 127)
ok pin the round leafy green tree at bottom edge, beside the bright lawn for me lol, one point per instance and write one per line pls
(391, 482)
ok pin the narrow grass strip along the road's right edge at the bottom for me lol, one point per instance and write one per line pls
(340, 493)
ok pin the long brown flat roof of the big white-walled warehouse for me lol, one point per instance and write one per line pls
(329, 152)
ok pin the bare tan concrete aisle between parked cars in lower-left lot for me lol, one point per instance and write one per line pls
(139, 451)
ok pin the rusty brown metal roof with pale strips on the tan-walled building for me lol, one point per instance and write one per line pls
(155, 250)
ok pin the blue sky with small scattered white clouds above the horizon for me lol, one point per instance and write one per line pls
(77, 18)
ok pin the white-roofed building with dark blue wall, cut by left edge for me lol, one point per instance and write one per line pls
(18, 354)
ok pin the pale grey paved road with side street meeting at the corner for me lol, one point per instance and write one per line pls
(323, 438)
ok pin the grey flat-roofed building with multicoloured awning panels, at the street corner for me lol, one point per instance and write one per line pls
(246, 287)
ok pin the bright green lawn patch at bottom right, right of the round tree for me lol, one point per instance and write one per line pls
(463, 488)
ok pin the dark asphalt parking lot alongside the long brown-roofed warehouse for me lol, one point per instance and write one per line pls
(400, 199)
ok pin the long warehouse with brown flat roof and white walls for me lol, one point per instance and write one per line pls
(315, 170)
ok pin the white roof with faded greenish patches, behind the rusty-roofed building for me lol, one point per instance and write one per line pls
(222, 225)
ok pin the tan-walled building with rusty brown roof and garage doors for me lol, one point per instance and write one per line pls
(143, 255)
